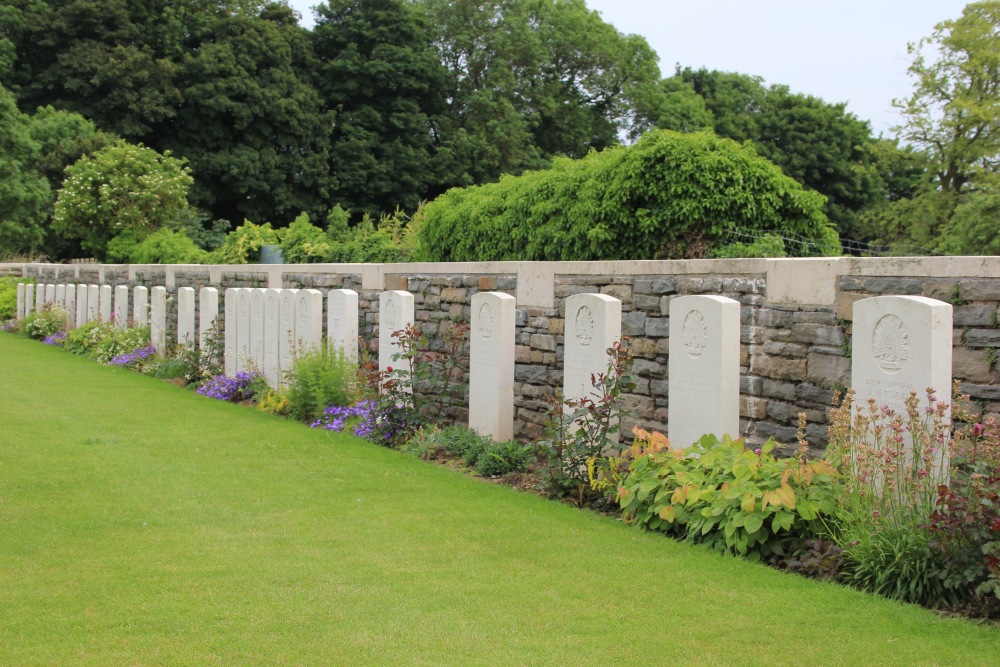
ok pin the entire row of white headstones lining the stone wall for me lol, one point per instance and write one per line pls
(901, 343)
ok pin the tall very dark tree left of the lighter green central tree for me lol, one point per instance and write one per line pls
(379, 73)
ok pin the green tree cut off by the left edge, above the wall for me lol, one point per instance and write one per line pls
(24, 193)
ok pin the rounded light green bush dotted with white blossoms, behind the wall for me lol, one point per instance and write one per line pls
(122, 187)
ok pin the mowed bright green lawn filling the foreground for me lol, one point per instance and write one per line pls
(141, 524)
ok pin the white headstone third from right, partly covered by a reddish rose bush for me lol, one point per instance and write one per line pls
(593, 324)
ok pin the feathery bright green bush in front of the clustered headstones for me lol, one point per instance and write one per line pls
(320, 377)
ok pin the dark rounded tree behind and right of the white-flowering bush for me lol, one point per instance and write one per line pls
(251, 124)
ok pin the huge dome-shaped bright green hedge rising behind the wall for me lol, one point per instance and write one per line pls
(670, 195)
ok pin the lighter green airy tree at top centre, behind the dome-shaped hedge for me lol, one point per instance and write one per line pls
(532, 79)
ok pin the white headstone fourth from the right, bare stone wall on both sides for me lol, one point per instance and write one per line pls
(491, 370)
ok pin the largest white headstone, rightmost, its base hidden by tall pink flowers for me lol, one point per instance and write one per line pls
(901, 344)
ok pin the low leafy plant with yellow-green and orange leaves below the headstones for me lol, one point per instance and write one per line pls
(729, 497)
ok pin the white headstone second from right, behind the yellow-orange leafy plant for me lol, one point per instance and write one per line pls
(704, 384)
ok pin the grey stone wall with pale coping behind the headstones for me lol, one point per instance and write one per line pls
(795, 315)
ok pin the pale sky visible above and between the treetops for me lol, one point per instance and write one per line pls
(851, 51)
